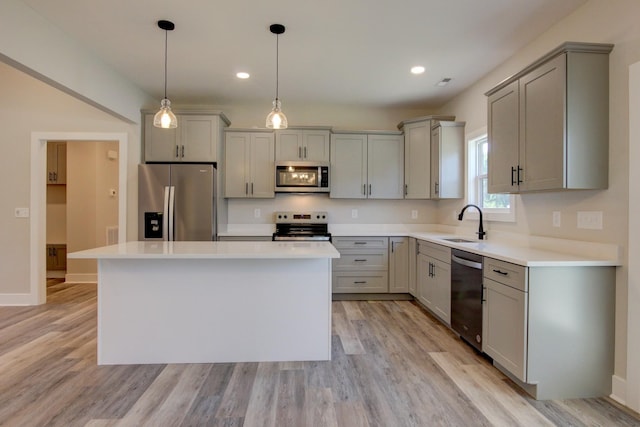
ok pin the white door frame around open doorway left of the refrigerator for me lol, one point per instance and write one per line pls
(38, 201)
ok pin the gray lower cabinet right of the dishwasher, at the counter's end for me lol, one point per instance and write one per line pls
(551, 329)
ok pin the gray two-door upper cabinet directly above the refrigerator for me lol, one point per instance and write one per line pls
(197, 138)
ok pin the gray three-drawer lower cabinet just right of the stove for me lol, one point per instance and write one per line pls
(363, 266)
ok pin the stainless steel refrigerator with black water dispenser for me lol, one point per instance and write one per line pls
(177, 202)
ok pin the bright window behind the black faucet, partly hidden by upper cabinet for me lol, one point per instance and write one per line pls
(496, 207)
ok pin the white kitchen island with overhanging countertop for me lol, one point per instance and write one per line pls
(207, 302)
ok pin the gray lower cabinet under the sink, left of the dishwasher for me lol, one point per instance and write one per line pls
(434, 279)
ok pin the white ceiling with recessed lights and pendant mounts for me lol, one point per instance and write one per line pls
(354, 52)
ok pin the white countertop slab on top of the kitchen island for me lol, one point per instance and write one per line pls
(210, 250)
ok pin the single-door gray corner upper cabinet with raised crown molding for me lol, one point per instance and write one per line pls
(417, 155)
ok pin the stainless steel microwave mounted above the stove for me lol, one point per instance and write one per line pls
(302, 177)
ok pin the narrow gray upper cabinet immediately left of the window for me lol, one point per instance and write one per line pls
(447, 160)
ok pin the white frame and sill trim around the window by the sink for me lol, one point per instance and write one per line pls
(474, 181)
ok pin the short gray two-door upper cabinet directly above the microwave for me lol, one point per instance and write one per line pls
(303, 144)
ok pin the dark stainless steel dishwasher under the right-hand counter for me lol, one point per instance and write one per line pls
(466, 296)
